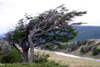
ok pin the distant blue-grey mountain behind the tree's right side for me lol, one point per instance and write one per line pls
(87, 32)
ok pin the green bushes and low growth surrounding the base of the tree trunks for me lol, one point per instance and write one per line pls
(10, 57)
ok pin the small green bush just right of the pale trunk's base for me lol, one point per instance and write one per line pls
(40, 57)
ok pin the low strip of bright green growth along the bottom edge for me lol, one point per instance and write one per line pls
(43, 64)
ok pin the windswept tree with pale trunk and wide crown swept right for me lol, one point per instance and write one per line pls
(53, 26)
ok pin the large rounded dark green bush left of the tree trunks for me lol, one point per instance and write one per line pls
(10, 55)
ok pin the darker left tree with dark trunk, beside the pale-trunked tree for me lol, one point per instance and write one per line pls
(19, 36)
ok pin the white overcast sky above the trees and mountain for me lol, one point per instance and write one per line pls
(13, 10)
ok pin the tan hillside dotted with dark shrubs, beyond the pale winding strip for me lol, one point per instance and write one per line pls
(85, 48)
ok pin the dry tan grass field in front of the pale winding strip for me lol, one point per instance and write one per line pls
(73, 62)
